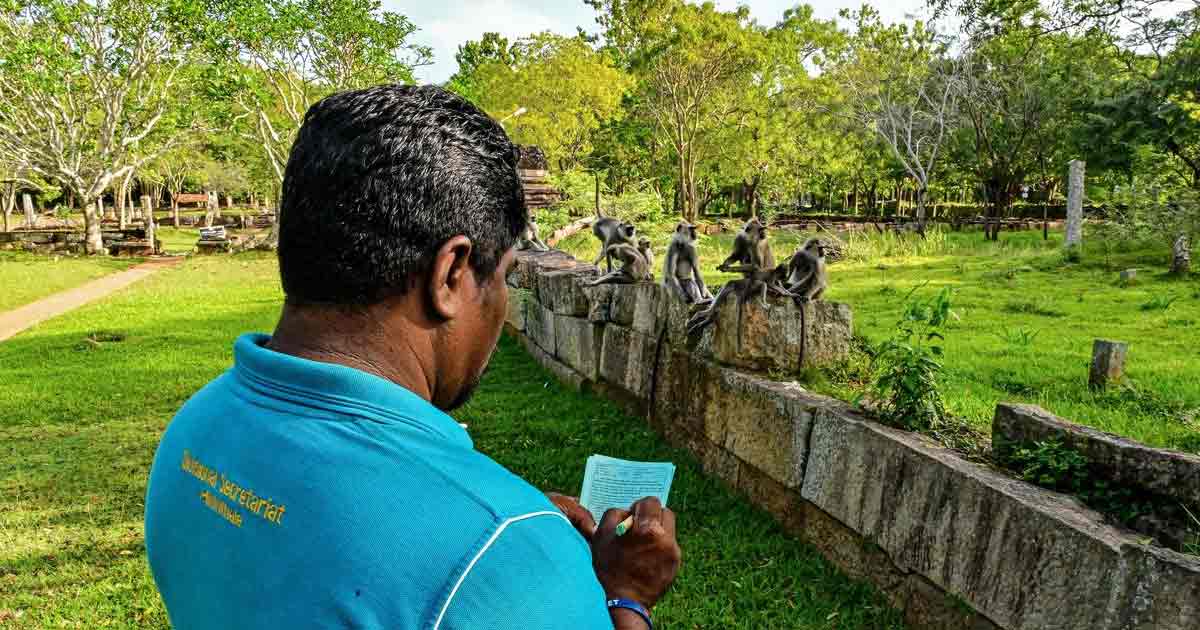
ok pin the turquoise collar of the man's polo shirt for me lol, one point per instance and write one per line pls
(338, 388)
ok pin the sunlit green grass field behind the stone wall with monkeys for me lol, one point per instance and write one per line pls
(1027, 325)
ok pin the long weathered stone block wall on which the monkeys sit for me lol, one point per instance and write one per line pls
(953, 544)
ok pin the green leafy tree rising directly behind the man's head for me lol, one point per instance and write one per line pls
(291, 53)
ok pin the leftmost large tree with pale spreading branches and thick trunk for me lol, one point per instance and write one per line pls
(87, 93)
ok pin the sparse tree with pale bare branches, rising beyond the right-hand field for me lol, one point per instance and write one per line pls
(903, 87)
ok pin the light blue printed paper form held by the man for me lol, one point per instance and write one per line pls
(613, 483)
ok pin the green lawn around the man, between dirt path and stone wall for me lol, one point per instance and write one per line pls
(80, 423)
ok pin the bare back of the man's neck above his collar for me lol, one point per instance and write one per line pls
(355, 341)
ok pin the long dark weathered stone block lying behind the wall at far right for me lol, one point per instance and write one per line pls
(1113, 458)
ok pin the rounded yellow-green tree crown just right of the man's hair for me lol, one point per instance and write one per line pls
(565, 88)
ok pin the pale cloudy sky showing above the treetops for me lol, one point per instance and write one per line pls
(445, 25)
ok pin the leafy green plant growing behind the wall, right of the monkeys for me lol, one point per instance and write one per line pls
(911, 364)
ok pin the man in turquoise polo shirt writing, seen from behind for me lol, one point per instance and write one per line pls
(320, 483)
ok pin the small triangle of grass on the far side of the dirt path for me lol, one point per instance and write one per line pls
(27, 278)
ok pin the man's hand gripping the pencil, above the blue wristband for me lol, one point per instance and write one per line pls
(641, 565)
